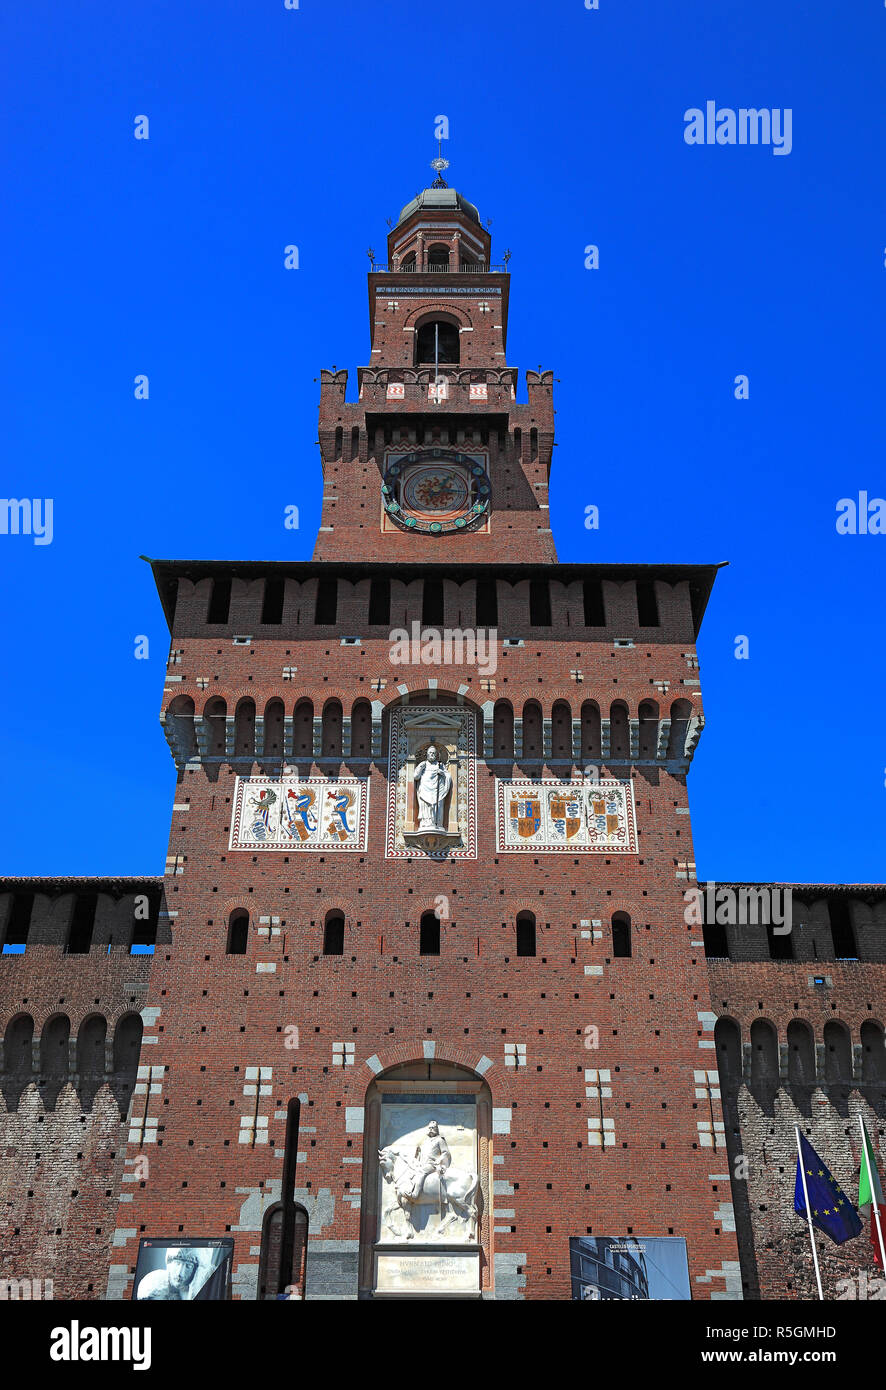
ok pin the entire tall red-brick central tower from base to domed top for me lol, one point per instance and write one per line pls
(426, 1006)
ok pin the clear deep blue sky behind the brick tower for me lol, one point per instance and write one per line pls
(311, 127)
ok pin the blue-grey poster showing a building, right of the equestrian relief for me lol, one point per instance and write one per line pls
(629, 1268)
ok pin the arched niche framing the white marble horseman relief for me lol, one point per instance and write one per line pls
(426, 1182)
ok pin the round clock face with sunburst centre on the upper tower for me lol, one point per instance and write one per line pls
(436, 491)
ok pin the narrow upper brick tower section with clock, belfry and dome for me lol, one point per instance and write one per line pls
(437, 461)
